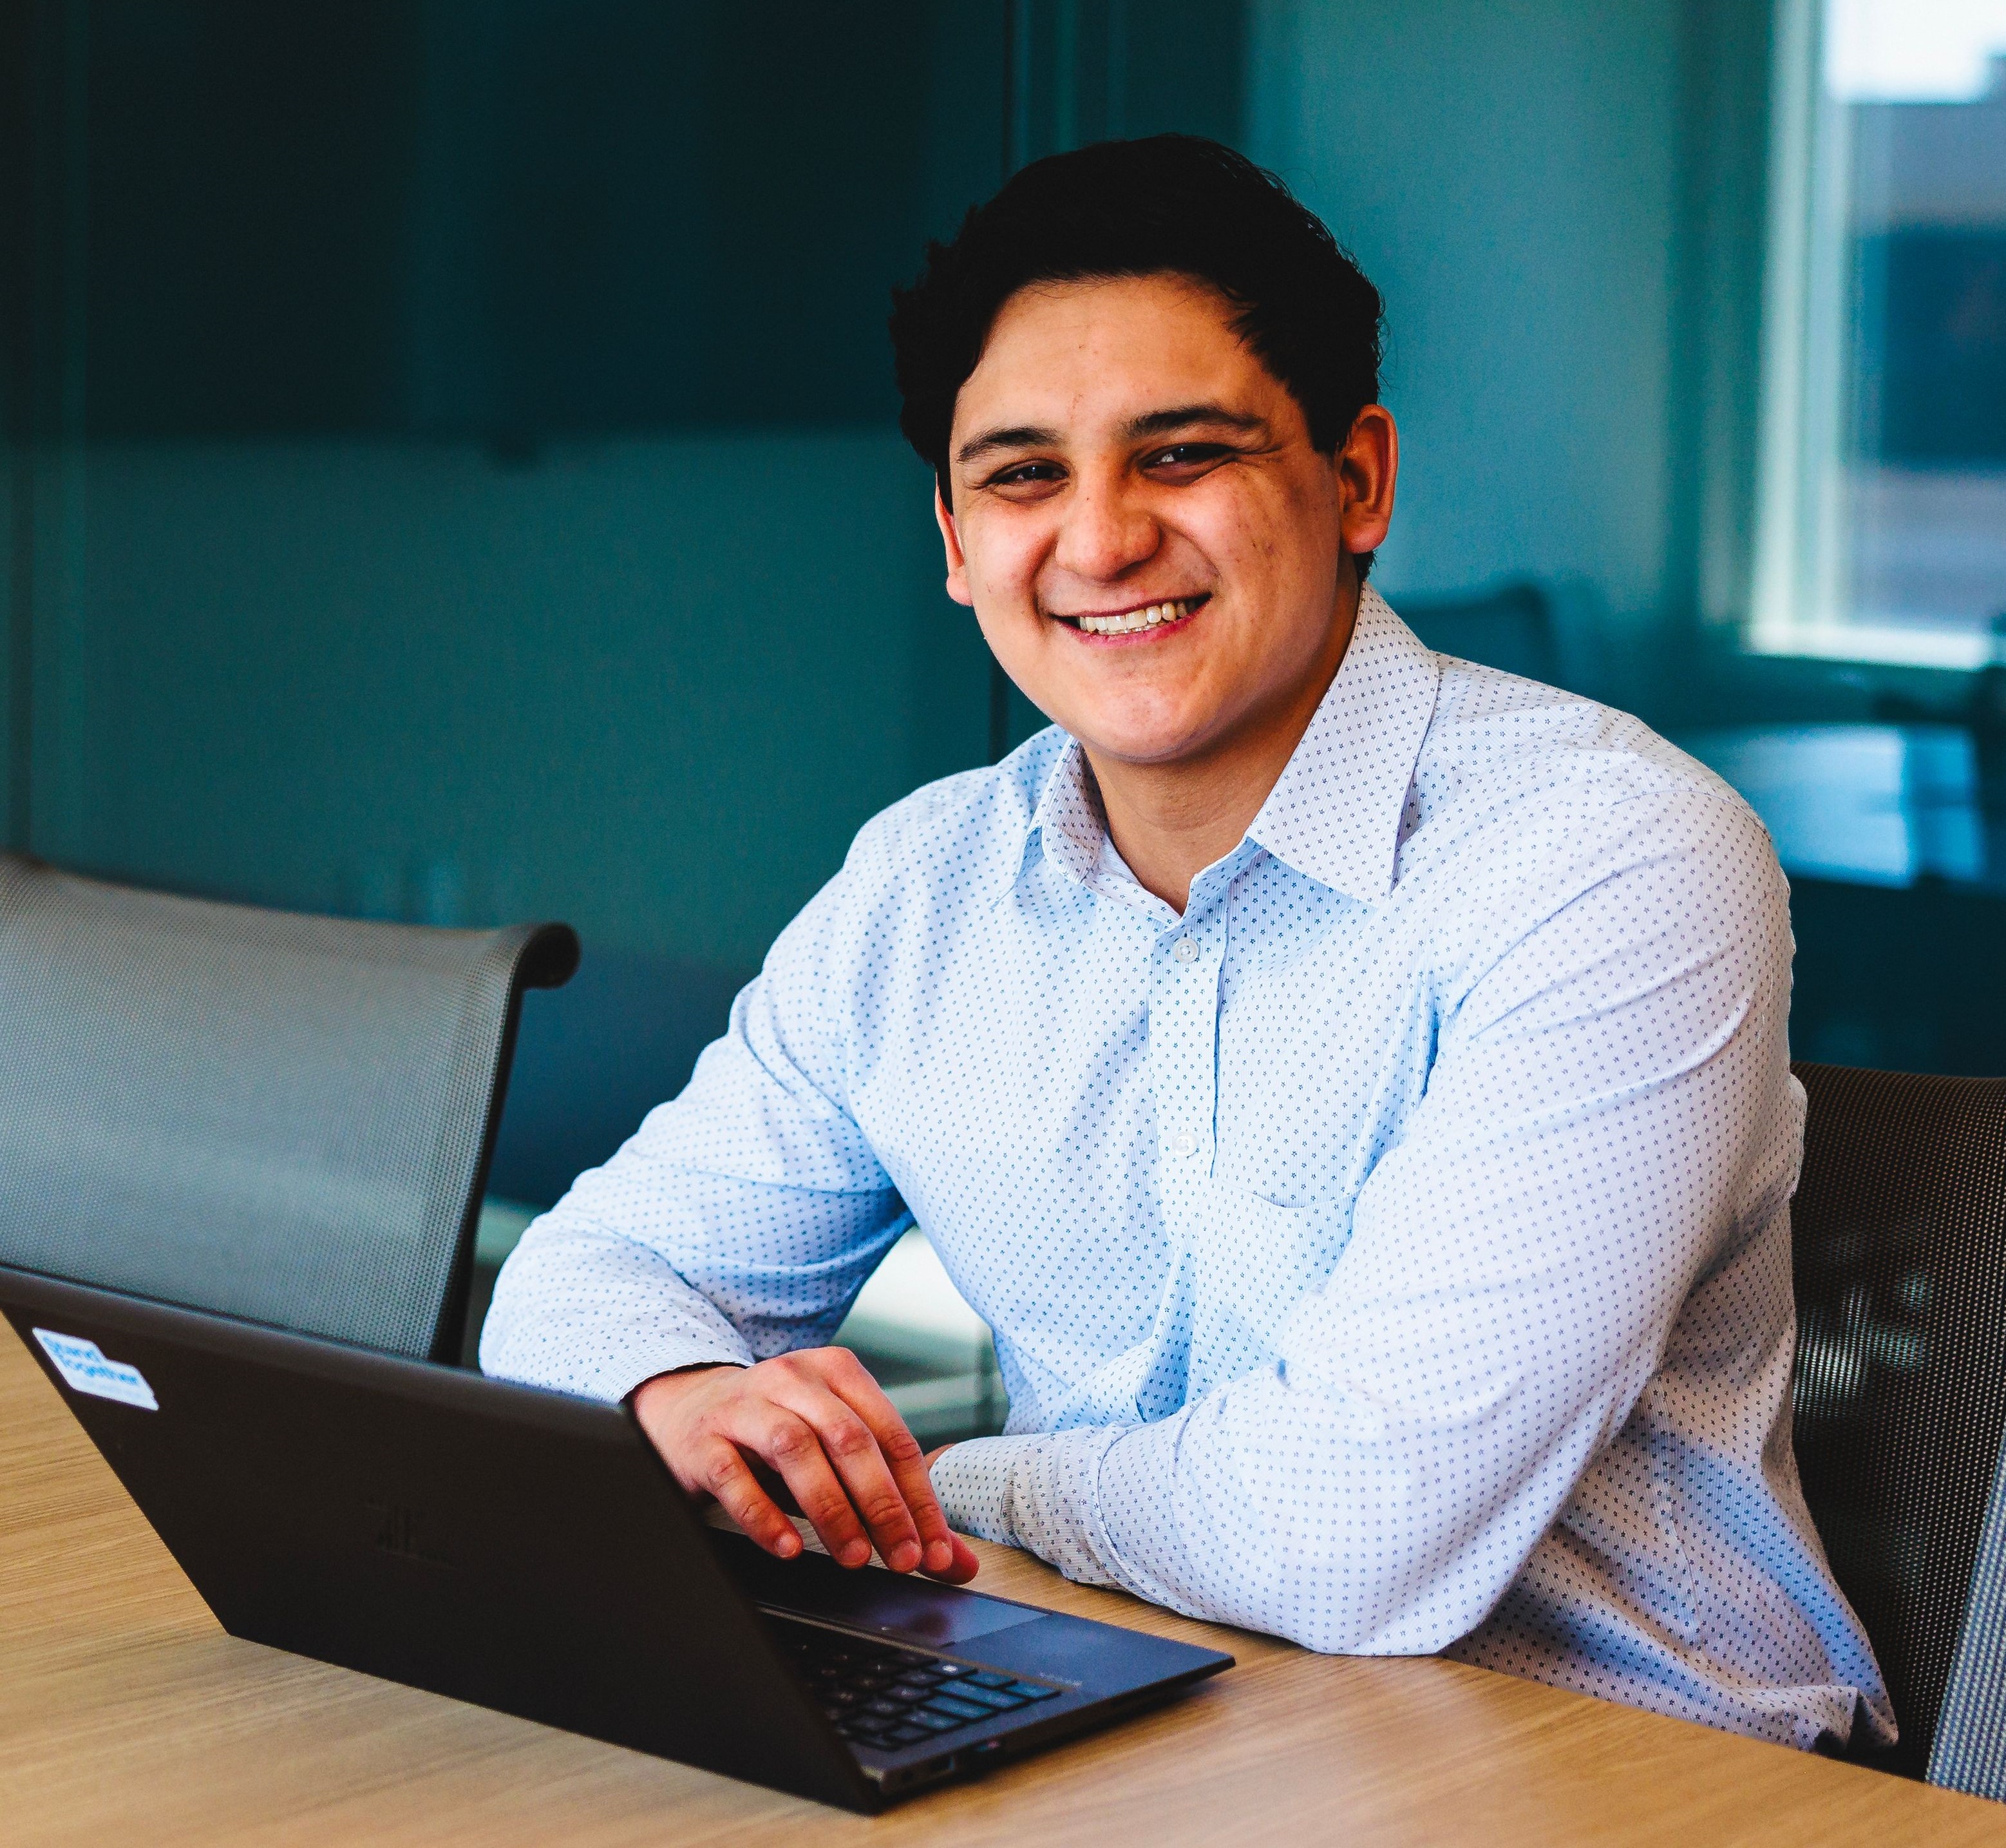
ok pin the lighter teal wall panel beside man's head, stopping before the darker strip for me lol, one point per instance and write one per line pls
(1514, 194)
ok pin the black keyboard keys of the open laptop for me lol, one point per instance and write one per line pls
(892, 1699)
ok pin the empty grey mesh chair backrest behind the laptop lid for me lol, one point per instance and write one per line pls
(274, 1117)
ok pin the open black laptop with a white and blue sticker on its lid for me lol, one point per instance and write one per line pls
(531, 1552)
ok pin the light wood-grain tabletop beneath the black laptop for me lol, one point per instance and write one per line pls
(127, 1717)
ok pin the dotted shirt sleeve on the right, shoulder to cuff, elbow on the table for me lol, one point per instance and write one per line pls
(1610, 1115)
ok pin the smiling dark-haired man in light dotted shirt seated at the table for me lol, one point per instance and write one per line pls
(1351, 1083)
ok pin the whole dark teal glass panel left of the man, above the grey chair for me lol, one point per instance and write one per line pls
(462, 477)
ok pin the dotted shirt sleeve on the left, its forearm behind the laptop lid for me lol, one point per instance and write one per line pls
(739, 1223)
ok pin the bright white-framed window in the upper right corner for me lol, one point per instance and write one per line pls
(1883, 493)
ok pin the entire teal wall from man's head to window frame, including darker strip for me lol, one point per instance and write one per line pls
(1562, 204)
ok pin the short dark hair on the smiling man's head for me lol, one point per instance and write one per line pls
(1173, 204)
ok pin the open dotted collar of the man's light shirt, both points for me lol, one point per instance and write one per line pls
(1335, 812)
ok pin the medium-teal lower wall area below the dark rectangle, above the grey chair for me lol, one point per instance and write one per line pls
(647, 685)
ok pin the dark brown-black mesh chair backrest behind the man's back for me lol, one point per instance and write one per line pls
(1901, 1396)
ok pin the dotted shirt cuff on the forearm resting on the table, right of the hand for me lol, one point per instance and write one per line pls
(1040, 1494)
